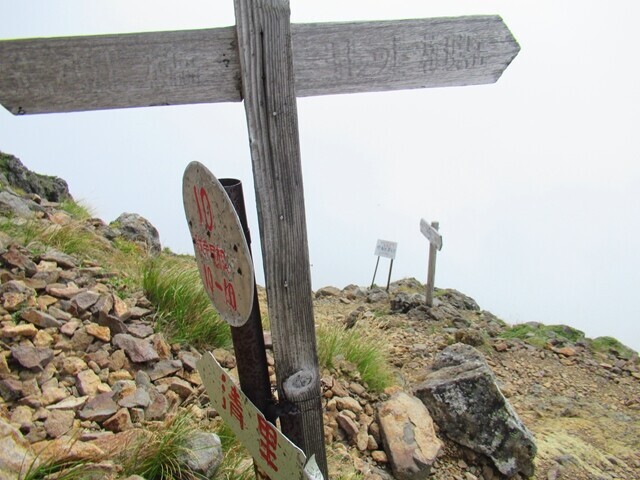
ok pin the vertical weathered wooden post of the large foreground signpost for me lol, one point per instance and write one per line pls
(264, 44)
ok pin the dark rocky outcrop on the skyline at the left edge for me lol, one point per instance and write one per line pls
(17, 175)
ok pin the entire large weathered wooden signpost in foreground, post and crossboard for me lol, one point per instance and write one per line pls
(266, 62)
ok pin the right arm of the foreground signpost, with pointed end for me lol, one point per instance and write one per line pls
(401, 54)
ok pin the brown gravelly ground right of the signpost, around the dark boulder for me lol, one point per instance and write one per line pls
(583, 407)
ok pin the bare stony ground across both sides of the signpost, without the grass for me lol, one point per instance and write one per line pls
(82, 366)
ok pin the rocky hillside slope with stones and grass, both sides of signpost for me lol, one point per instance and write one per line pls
(89, 353)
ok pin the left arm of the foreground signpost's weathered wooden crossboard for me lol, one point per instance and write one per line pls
(119, 71)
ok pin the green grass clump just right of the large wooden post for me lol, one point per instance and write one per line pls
(358, 346)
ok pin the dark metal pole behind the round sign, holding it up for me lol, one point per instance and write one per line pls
(248, 340)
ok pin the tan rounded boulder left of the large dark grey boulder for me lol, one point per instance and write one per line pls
(408, 436)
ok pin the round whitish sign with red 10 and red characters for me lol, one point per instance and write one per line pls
(221, 251)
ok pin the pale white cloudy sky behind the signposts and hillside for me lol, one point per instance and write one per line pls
(535, 179)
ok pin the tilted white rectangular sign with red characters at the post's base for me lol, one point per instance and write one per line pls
(274, 453)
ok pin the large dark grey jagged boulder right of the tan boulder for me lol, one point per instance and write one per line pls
(463, 397)
